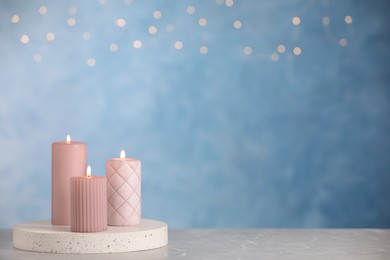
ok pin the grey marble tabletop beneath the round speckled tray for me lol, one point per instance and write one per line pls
(243, 244)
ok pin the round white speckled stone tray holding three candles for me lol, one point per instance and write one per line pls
(41, 236)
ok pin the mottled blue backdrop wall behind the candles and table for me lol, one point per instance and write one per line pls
(245, 135)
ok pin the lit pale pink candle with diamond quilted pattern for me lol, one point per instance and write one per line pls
(123, 191)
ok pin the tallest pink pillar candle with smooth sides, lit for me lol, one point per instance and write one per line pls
(69, 159)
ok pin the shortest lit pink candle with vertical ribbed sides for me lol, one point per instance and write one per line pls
(88, 203)
